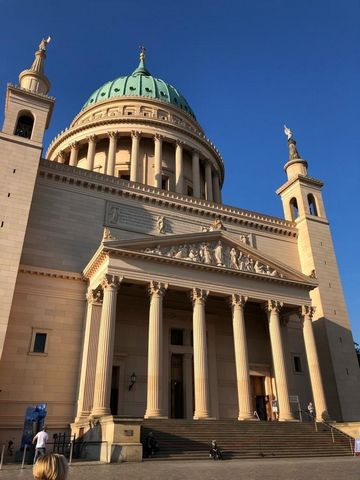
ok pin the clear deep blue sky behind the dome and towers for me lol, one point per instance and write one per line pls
(246, 67)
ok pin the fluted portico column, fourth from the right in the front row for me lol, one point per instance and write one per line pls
(201, 371)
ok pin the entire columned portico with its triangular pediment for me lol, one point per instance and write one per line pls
(141, 287)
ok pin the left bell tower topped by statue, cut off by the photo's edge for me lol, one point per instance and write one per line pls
(28, 110)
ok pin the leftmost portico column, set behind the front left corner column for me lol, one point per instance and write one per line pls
(88, 363)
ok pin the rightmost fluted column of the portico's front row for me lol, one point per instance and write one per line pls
(313, 362)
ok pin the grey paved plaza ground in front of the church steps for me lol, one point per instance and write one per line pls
(347, 468)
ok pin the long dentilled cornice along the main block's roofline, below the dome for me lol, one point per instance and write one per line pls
(98, 182)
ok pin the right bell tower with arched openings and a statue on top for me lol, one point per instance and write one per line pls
(303, 204)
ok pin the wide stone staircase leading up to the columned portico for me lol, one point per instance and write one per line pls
(190, 440)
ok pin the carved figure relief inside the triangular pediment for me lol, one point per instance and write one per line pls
(217, 254)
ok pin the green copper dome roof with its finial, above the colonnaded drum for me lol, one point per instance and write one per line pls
(140, 84)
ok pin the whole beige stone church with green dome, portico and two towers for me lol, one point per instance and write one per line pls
(130, 291)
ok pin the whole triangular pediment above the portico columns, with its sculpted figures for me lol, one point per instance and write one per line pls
(213, 250)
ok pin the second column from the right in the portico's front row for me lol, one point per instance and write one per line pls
(273, 308)
